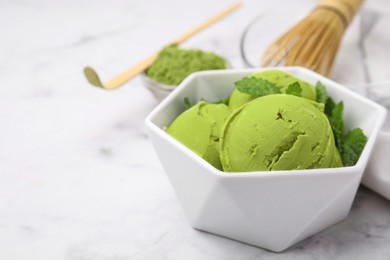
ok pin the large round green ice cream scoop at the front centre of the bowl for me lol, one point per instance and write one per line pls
(278, 132)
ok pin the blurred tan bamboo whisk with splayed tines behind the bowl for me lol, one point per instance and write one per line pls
(313, 42)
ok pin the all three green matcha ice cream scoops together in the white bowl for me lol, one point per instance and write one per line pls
(267, 133)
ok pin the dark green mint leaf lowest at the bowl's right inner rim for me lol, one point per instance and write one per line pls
(352, 146)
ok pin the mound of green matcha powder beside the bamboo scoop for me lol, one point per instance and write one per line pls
(174, 64)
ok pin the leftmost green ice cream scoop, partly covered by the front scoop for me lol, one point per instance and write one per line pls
(199, 129)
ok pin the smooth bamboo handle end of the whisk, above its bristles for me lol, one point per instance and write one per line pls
(346, 8)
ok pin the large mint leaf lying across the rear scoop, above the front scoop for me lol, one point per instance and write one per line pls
(256, 87)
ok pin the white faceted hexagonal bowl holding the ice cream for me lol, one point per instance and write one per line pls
(272, 210)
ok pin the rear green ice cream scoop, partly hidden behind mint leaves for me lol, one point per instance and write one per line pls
(280, 79)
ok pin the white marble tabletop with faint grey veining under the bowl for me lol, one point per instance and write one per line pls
(79, 178)
